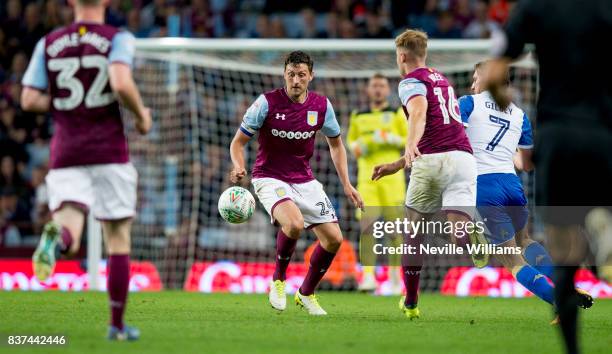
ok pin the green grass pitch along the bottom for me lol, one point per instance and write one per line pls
(181, 322)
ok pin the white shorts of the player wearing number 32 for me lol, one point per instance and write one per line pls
(109, 190)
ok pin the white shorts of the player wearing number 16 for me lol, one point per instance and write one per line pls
(445, 180)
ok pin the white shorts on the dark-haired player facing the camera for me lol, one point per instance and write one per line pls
(309, 197)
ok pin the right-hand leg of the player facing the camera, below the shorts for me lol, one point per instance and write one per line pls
(330, 240)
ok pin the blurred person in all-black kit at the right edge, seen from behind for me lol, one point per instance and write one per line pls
(574, 125)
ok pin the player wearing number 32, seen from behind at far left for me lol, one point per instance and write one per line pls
(77, 73)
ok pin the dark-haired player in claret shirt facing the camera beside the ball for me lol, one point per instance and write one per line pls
(286, 121)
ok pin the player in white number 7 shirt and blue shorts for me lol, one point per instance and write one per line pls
(495, 135)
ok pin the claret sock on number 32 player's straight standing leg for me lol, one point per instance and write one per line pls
(118, 284)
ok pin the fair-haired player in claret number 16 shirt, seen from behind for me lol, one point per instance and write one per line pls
(443, 172)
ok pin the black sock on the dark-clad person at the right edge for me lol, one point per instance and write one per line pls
(567, 305)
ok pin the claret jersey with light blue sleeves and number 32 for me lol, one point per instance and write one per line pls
(72, 63)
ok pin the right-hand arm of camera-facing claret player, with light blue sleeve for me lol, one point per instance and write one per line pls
(331, 130)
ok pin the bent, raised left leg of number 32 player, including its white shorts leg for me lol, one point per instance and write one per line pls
(70, 194)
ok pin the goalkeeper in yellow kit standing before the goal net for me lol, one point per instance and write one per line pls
(377, 135)
